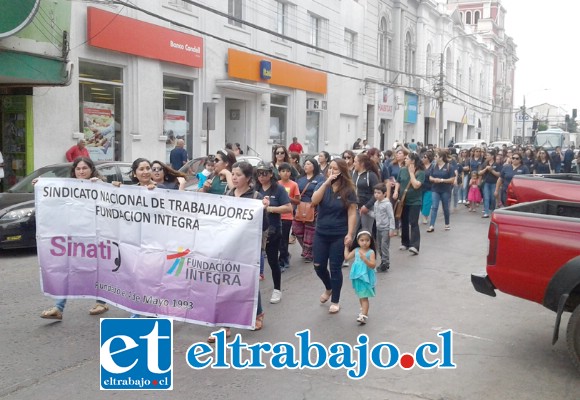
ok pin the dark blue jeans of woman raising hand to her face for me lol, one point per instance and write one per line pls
(329, 249)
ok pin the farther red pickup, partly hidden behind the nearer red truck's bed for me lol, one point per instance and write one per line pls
(524, 188)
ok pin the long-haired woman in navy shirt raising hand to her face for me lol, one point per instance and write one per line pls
(335, 228)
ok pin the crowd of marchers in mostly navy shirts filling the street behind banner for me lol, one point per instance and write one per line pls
(348, 208)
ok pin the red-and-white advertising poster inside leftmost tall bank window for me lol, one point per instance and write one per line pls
(99, 130)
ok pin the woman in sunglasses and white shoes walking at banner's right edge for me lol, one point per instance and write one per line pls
(278, 204)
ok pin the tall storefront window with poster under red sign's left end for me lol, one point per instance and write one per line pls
(100, 110)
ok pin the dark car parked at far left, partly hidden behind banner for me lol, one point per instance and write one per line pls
(17, 216)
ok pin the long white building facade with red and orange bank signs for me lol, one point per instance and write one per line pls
(144, 74)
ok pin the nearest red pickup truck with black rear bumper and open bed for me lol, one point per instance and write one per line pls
(534, 253)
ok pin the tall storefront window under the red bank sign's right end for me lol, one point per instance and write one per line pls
(177, 112)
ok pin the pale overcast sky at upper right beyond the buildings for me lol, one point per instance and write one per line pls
(548, 45)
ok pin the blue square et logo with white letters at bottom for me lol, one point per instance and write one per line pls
(136, 354)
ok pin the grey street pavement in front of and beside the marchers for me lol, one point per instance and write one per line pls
(501, 346)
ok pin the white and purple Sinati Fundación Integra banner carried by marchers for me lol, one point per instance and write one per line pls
(191, 256)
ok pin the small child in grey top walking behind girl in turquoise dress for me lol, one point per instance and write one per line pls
(385, 221)
